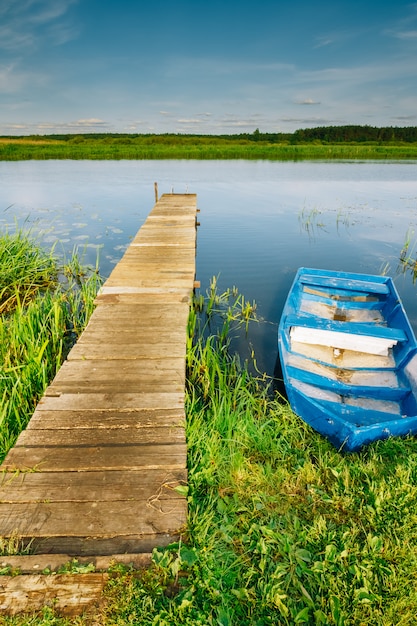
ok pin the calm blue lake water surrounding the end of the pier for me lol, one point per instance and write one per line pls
(260, 220)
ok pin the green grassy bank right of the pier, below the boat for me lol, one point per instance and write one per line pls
(282, 529)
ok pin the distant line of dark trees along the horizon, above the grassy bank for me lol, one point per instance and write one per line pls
(321, 134)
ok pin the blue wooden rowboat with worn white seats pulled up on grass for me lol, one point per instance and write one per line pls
(349, 357)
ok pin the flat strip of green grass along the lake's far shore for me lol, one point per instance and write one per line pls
(190, 147)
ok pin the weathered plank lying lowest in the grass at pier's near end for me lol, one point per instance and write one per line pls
(69, 595)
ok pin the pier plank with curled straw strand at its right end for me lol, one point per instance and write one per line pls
(108, 485)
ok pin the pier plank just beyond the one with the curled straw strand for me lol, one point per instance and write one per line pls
(100, 457)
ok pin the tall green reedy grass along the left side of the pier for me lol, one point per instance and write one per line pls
(44, 307)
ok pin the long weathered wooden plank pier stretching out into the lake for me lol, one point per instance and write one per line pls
(96, 470)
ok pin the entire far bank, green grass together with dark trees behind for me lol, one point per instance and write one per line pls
(322, 143)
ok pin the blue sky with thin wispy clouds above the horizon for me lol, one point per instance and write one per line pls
(218, 66)
